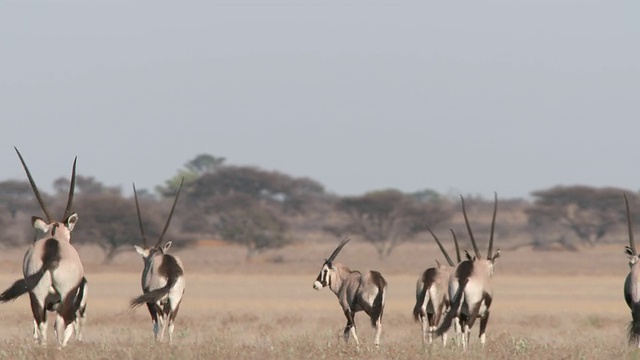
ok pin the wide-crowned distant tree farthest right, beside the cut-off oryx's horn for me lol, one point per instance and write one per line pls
(588, 212)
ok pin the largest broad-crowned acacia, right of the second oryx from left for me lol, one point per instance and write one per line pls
(248, 206)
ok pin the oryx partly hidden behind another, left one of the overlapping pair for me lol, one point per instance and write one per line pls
(432, 296)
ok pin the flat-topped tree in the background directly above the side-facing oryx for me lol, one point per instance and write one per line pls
(387, 218)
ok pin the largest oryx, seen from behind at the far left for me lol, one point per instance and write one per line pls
(53, 272)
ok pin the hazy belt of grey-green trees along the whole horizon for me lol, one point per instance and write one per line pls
(262, 210)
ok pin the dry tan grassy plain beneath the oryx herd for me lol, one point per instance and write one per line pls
(548, 305)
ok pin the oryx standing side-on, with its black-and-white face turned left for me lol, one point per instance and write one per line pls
(355, 292)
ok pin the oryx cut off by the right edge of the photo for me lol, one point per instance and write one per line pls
(632, 283)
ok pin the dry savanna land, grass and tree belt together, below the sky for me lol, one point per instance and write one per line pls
(252, 243)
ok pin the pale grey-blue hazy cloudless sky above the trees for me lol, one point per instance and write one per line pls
(458, 96)
